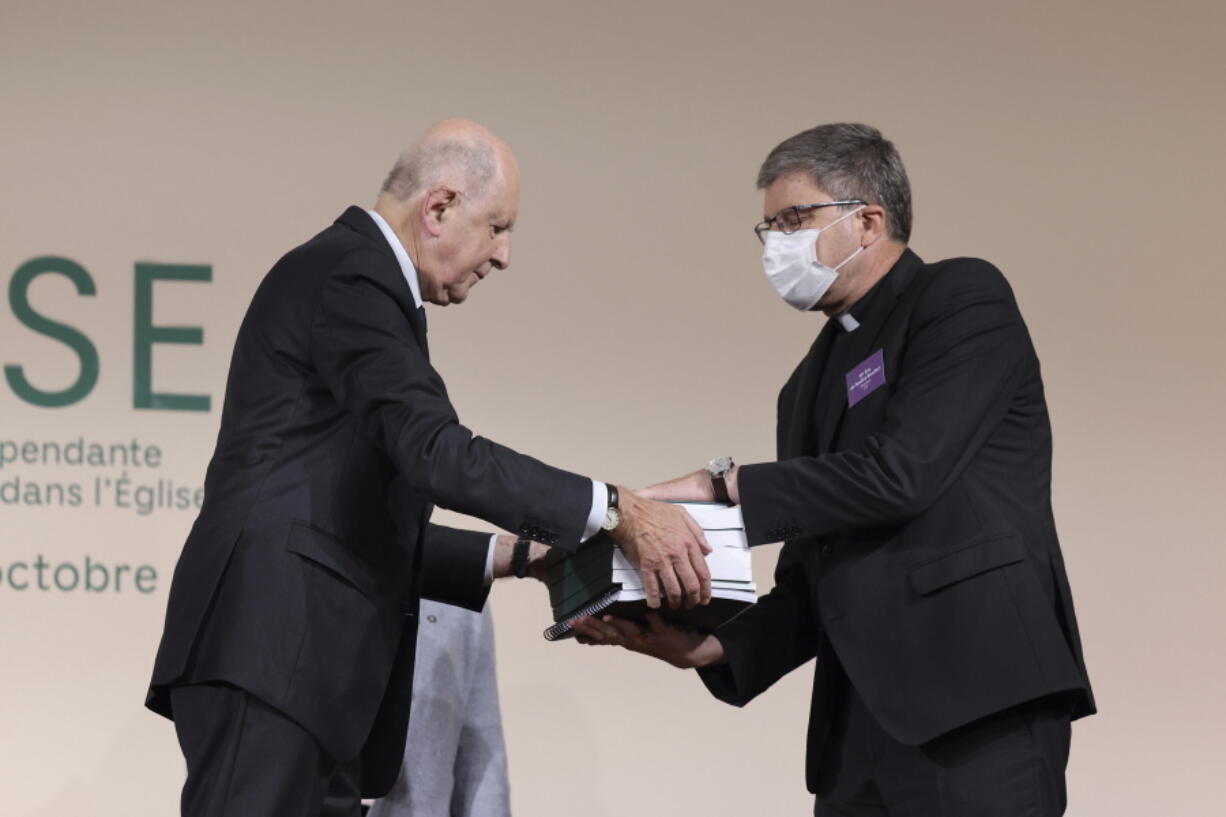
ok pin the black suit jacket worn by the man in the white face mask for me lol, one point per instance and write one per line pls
(920, 548)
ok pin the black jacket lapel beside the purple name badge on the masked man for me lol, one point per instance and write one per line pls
(856, 348)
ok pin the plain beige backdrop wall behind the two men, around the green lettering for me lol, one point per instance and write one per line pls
(1078, 147)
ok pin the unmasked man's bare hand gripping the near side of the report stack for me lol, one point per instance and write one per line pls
(669, 549)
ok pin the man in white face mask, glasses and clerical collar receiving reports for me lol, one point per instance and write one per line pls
(913, 493)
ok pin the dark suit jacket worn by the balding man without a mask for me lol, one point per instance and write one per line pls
(301, 578)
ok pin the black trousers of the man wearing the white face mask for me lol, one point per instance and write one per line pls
(1010, 765)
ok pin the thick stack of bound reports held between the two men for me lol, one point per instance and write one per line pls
(599, 580)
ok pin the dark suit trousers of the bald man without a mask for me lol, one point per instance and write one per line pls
(246, 759)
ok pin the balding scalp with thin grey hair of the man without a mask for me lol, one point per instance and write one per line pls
(458, 154)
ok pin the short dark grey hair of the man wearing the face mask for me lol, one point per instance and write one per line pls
(848, 161)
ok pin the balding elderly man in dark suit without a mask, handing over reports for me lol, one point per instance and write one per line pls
(287, 656)
